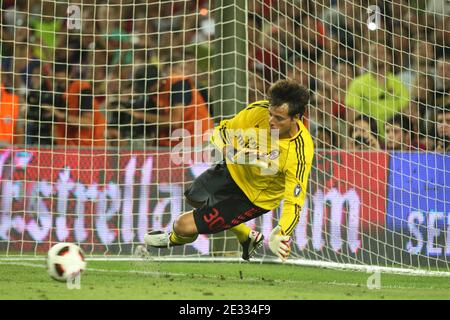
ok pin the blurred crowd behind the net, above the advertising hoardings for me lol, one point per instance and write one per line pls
(137, 74)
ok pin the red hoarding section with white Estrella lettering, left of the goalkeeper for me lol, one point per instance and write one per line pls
(85, 197)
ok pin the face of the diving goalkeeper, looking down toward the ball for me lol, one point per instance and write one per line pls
(281, 122)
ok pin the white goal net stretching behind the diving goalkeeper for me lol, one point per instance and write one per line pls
(107, 107)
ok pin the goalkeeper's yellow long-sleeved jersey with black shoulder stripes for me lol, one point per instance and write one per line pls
(289, 160)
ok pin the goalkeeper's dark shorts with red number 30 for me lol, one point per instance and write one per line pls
(220, 203)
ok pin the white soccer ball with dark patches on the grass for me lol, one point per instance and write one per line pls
(65, 260)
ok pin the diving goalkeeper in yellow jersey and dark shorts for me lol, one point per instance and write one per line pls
(268, 154)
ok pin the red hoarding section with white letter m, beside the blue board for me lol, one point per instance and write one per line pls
(347, 197)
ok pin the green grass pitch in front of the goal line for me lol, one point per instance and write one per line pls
(206, 280)
